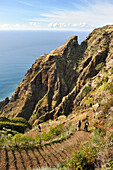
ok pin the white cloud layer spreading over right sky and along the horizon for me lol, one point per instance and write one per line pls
(87, 16)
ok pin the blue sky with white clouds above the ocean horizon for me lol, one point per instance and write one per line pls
(80, 15)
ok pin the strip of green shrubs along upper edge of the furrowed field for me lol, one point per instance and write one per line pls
(13, 138)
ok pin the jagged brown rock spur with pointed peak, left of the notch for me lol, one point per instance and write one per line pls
(51, 77)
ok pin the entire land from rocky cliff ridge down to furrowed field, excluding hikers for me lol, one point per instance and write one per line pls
(72, 82)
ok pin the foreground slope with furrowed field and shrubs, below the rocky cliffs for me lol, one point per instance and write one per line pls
(60, 145)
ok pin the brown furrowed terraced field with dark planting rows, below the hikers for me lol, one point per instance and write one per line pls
(41, 156)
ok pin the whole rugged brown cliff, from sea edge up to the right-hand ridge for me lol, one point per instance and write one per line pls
(55, 82)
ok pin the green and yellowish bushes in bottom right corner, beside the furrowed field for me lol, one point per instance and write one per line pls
(88, 155)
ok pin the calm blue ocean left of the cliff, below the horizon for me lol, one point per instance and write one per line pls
(20, 49)
